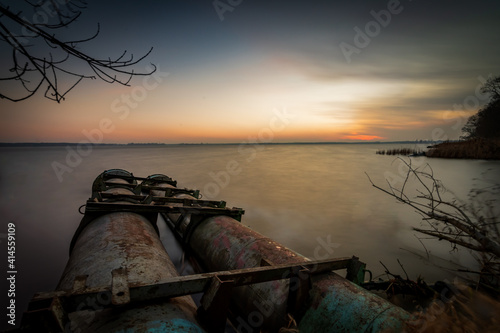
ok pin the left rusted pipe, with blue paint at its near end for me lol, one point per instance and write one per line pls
(122, 247)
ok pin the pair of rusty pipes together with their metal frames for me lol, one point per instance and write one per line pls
(120, 279)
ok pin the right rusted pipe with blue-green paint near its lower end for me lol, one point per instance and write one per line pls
(332, 303)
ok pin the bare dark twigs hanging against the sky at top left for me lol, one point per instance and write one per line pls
(33, 71)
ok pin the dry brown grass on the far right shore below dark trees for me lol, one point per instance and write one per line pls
(470, 149)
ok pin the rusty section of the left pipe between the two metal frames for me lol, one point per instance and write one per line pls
(113, 241)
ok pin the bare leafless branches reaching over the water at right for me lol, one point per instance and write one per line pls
(473, 226)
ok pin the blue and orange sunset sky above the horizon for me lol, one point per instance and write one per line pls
(271, 71)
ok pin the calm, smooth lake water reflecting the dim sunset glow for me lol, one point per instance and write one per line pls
(300, 195)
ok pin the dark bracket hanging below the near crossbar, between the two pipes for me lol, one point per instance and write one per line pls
(214, 304)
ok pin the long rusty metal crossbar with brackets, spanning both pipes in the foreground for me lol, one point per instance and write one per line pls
(216, 288)
